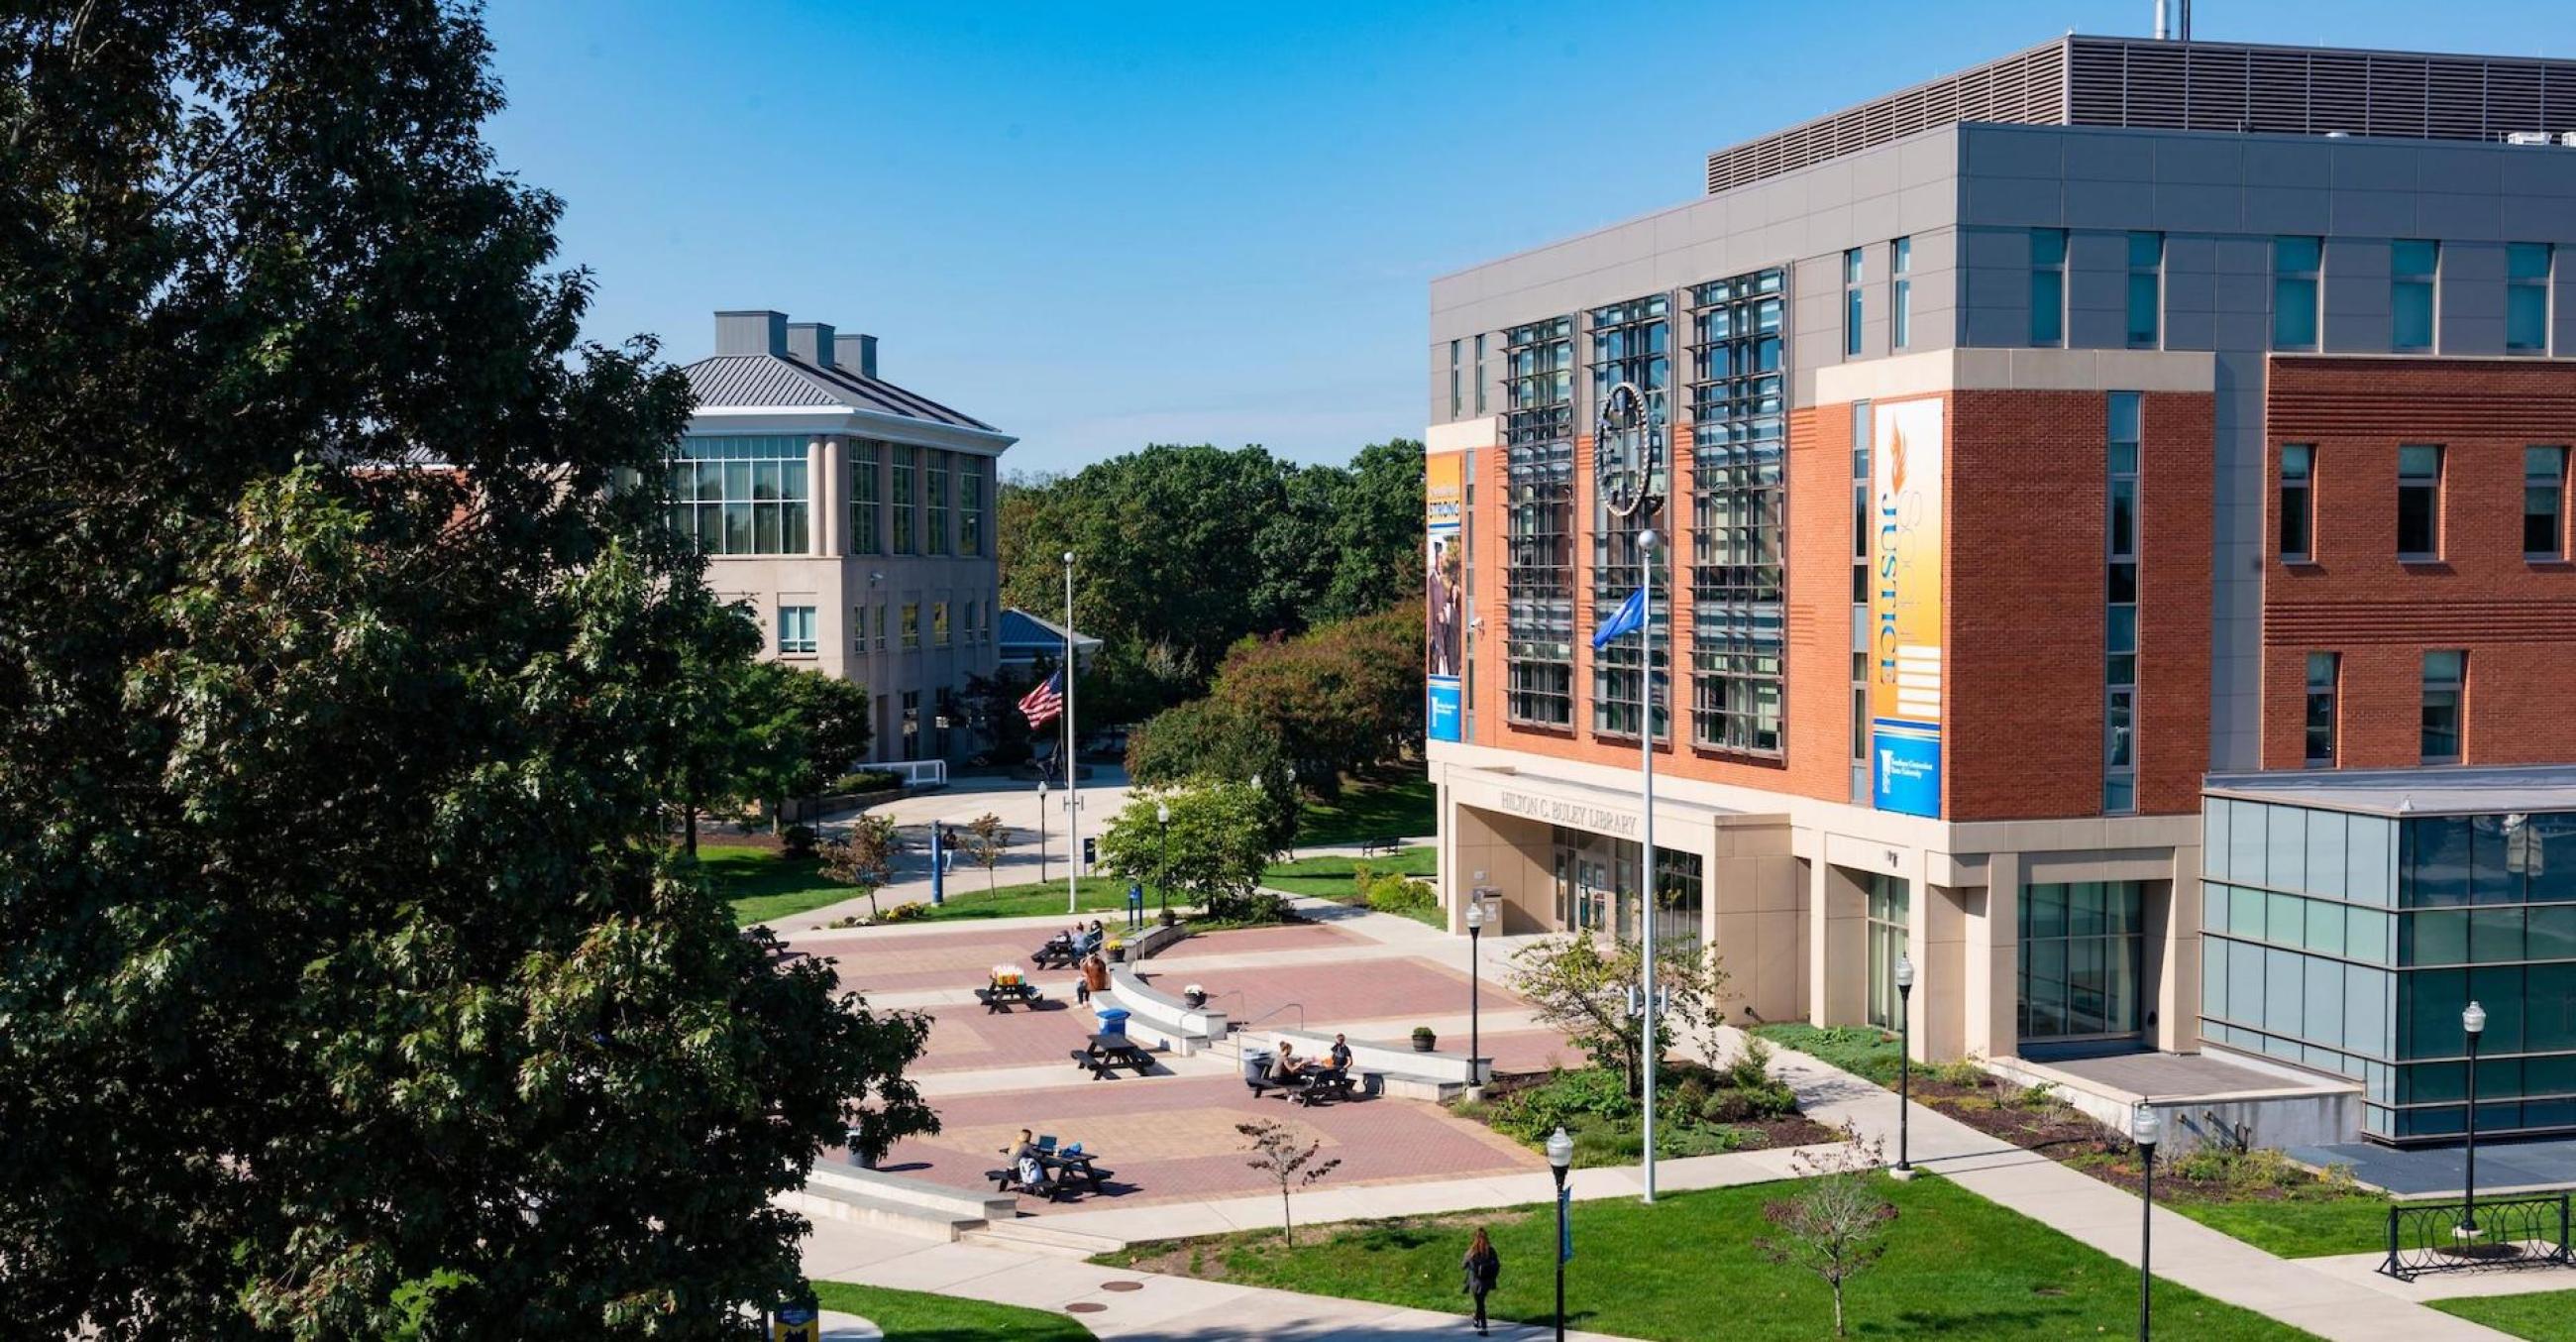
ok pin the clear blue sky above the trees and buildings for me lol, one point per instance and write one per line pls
(1109, 225)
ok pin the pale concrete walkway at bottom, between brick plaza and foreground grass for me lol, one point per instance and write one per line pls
(1145, 1307)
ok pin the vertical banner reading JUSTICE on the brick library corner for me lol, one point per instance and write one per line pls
(1908, 607)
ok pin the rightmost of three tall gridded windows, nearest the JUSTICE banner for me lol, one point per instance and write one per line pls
(1738, 509)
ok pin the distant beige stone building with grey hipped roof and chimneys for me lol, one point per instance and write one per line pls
(851, 519)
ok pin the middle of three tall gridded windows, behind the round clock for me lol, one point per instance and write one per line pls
(1632, 344)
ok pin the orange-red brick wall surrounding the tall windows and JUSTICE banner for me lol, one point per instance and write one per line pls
(2026, 604)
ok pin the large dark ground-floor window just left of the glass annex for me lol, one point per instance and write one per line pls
(2083, 962)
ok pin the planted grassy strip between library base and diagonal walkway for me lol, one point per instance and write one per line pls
(2253, 1196)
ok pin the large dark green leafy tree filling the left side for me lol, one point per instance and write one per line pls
(349, 985)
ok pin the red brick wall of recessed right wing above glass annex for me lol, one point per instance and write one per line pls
(2353, 596)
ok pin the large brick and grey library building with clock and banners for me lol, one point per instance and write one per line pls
(2060, 462)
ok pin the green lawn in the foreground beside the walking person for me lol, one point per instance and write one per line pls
(1691, 1269)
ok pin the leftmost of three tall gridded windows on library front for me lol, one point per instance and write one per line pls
(1539, 522)
